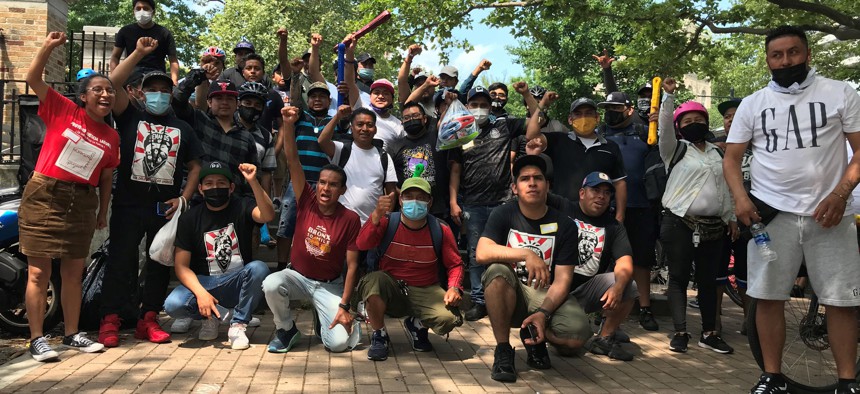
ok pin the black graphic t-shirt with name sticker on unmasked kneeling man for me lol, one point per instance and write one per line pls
(551, 237)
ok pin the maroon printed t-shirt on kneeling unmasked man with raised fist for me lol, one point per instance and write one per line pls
(320, 242)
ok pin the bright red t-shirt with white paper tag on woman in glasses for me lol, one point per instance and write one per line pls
(76, 147)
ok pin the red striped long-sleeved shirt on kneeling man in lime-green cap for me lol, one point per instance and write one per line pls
(410, 256)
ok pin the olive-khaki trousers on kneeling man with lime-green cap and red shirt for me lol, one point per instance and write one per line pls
(426, 303)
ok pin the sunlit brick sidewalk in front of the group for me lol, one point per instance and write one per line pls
(460, 365)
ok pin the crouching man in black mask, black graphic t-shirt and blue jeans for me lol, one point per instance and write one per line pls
(213, 254)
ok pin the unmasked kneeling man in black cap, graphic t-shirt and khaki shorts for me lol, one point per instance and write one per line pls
(531, 242)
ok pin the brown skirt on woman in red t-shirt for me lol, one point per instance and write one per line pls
(57, 218)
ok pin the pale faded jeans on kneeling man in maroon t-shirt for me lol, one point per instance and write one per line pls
(289, 285)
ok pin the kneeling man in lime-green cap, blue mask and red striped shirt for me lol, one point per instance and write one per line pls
(407, 283)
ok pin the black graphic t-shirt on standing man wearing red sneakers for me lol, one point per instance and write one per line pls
(153, 154)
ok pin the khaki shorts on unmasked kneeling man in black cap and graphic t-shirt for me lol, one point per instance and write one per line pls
(568, 321)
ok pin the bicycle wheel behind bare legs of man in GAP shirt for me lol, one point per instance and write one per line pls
(807, 362)
